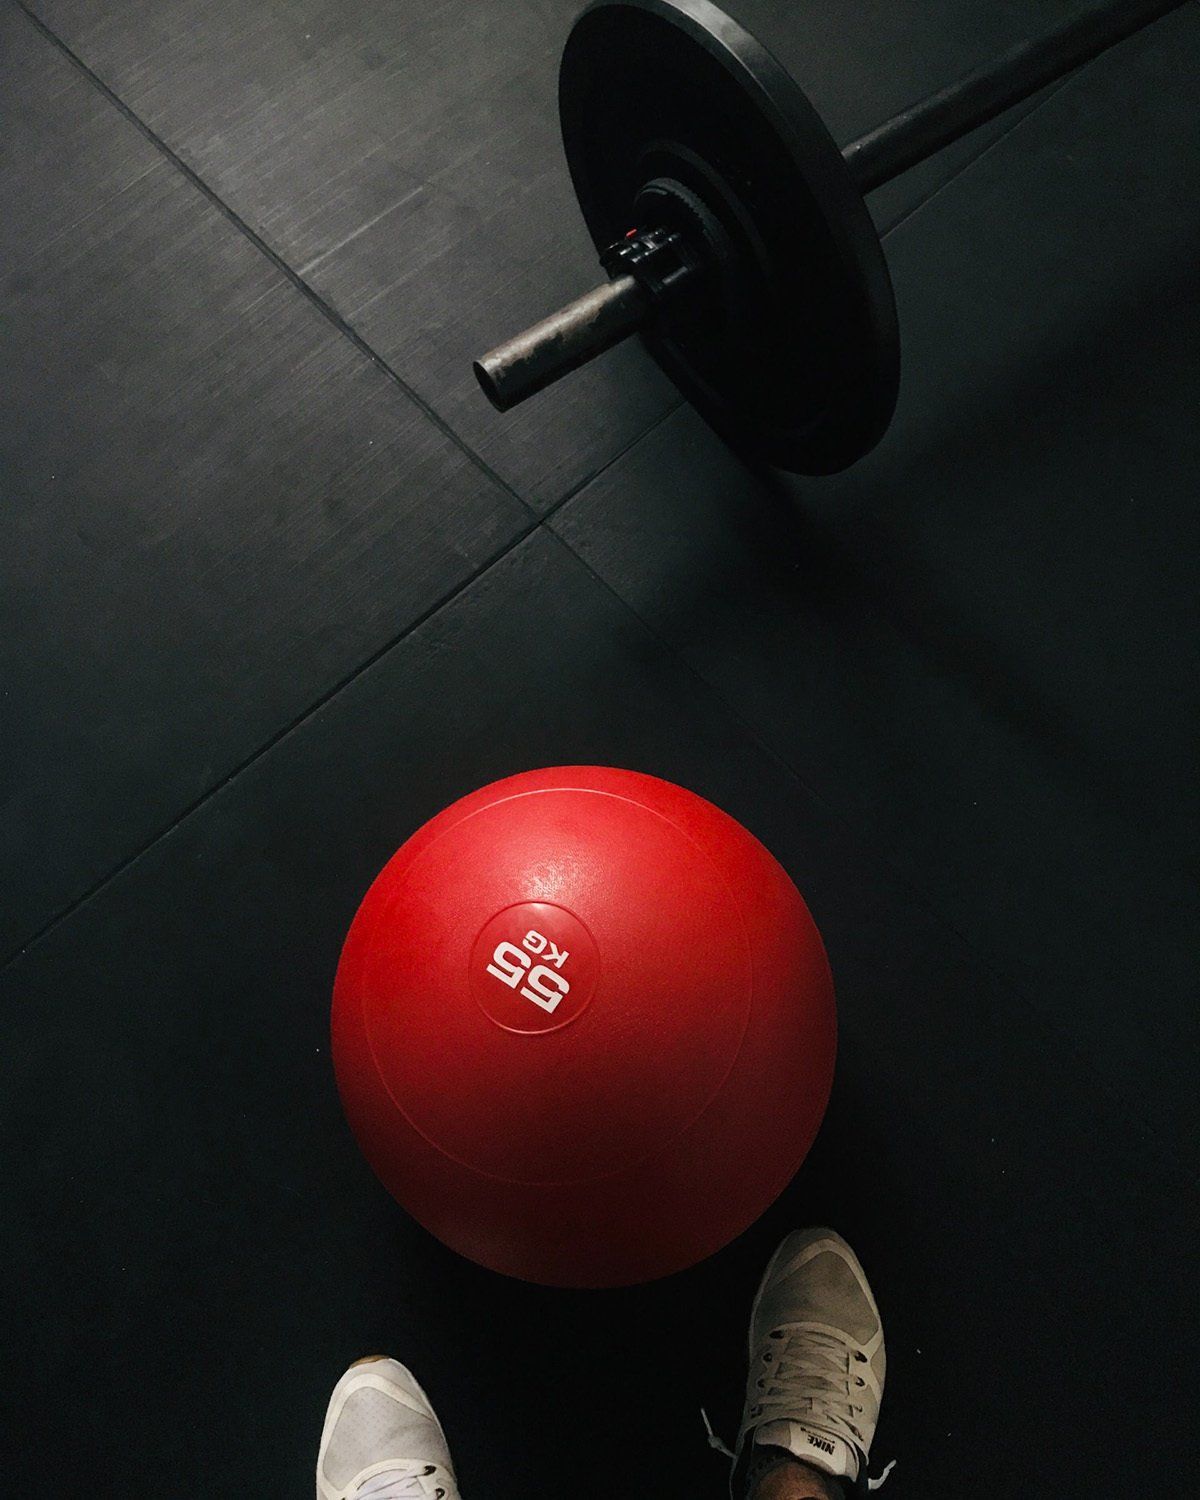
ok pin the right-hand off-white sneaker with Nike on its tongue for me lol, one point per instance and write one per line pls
(817, 1360)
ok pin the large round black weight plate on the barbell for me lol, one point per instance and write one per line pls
(805, 374)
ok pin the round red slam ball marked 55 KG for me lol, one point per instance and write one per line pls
(584, 1028)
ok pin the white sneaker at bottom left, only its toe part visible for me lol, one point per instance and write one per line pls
(382, 1439)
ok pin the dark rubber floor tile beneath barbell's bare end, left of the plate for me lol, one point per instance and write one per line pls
(404, 160)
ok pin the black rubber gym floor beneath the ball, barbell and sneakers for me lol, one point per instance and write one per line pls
(278, 584)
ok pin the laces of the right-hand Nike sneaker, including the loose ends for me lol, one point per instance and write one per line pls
(809, 1381)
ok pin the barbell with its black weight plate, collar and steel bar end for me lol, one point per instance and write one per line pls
(734, 230)
